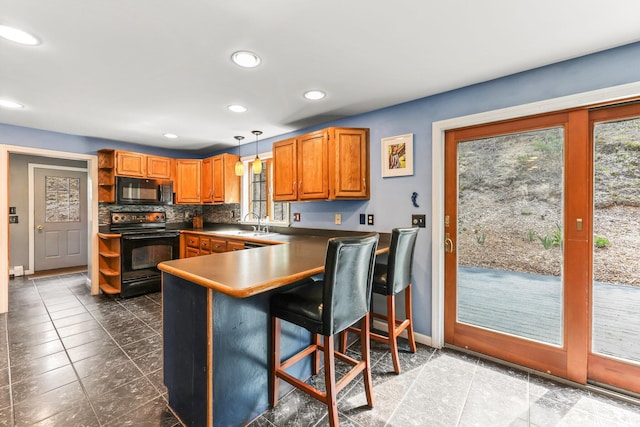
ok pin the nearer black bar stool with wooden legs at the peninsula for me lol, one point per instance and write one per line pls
(327, 307)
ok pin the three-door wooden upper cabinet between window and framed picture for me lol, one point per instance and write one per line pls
(328, 164)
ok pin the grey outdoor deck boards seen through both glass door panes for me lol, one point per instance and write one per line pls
(530, 306)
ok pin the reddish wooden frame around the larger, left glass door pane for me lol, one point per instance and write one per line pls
(569, 359)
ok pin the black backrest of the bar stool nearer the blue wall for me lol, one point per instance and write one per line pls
(400, 261)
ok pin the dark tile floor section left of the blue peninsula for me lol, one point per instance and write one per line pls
(71, 359)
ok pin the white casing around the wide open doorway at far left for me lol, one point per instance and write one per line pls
(92, 164)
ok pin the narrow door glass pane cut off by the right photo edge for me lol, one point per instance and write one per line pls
(616, 240)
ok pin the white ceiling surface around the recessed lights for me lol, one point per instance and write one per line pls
(131, 70)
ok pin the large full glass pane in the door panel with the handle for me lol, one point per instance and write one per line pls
(510, 231)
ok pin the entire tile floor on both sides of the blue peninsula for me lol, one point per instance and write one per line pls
(71, 359)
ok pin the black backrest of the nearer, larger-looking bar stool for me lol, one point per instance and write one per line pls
(348, 275)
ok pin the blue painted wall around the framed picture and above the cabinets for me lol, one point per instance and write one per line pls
(390, 197)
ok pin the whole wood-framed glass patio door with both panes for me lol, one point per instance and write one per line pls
(531, 210)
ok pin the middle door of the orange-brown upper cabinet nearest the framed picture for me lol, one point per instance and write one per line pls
(313, 166)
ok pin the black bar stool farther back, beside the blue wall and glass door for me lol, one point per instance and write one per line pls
(392, 275)
